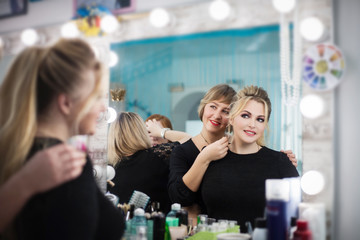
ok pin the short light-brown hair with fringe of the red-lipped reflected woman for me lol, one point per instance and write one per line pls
(220, 92)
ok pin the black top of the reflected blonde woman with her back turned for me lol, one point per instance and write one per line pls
(146, 171)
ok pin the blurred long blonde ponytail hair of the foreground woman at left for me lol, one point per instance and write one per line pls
(36, 77)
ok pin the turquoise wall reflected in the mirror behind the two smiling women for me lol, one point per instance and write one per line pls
(170, 75)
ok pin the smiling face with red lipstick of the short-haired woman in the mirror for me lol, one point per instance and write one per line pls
(216, 116)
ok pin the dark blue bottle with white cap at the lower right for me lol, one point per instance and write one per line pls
(277, 198)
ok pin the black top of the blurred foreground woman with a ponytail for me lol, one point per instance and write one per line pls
(74, 210)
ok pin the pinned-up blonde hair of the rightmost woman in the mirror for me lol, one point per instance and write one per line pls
(257, 94)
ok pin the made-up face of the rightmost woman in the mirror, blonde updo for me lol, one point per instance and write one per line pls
(249, 125)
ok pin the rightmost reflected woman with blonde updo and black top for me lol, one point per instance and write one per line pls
(234, 187)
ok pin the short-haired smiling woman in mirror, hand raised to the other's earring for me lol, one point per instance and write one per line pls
(189, 161)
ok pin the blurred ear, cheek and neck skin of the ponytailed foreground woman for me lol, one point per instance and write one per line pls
(88, 122)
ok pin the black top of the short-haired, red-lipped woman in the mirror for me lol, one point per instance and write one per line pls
(181, 160)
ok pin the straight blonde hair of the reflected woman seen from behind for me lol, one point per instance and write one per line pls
(127, 135)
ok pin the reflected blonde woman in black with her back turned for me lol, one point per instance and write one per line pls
(138, 165)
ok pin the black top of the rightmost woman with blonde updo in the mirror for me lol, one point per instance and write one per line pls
(233, 188)
